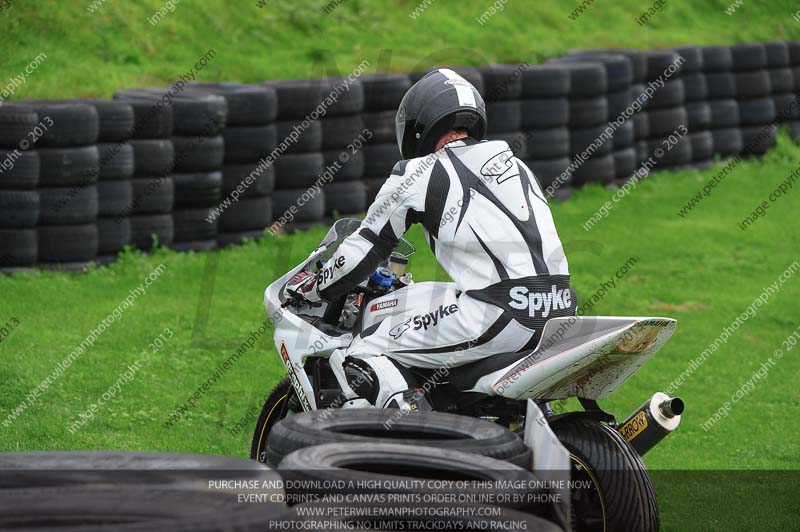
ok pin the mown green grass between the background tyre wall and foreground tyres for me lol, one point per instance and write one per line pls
(702, 270)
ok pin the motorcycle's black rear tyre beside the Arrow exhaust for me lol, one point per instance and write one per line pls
(611, 488)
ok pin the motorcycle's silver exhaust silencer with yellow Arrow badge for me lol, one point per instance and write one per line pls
(652, 422)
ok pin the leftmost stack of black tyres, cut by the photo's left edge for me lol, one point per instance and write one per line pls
(19, 177)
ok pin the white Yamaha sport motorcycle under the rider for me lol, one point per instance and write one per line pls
(577, 357)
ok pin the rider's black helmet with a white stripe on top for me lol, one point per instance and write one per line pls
(440, 101)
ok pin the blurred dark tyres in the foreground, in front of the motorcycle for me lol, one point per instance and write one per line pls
(466, 471)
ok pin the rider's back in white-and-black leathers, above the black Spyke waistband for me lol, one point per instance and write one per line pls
(484, 213)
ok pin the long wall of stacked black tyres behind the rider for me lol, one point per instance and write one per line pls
(195, 166)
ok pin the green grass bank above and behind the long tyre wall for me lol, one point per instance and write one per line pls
(114, 47)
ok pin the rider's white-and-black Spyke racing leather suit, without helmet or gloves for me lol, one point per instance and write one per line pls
(490, 227)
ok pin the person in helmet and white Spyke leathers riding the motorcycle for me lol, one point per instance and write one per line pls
(488, 224)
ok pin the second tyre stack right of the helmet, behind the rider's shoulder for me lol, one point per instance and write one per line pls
(544, 120)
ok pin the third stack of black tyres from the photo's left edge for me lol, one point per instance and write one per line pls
(114, 188)
